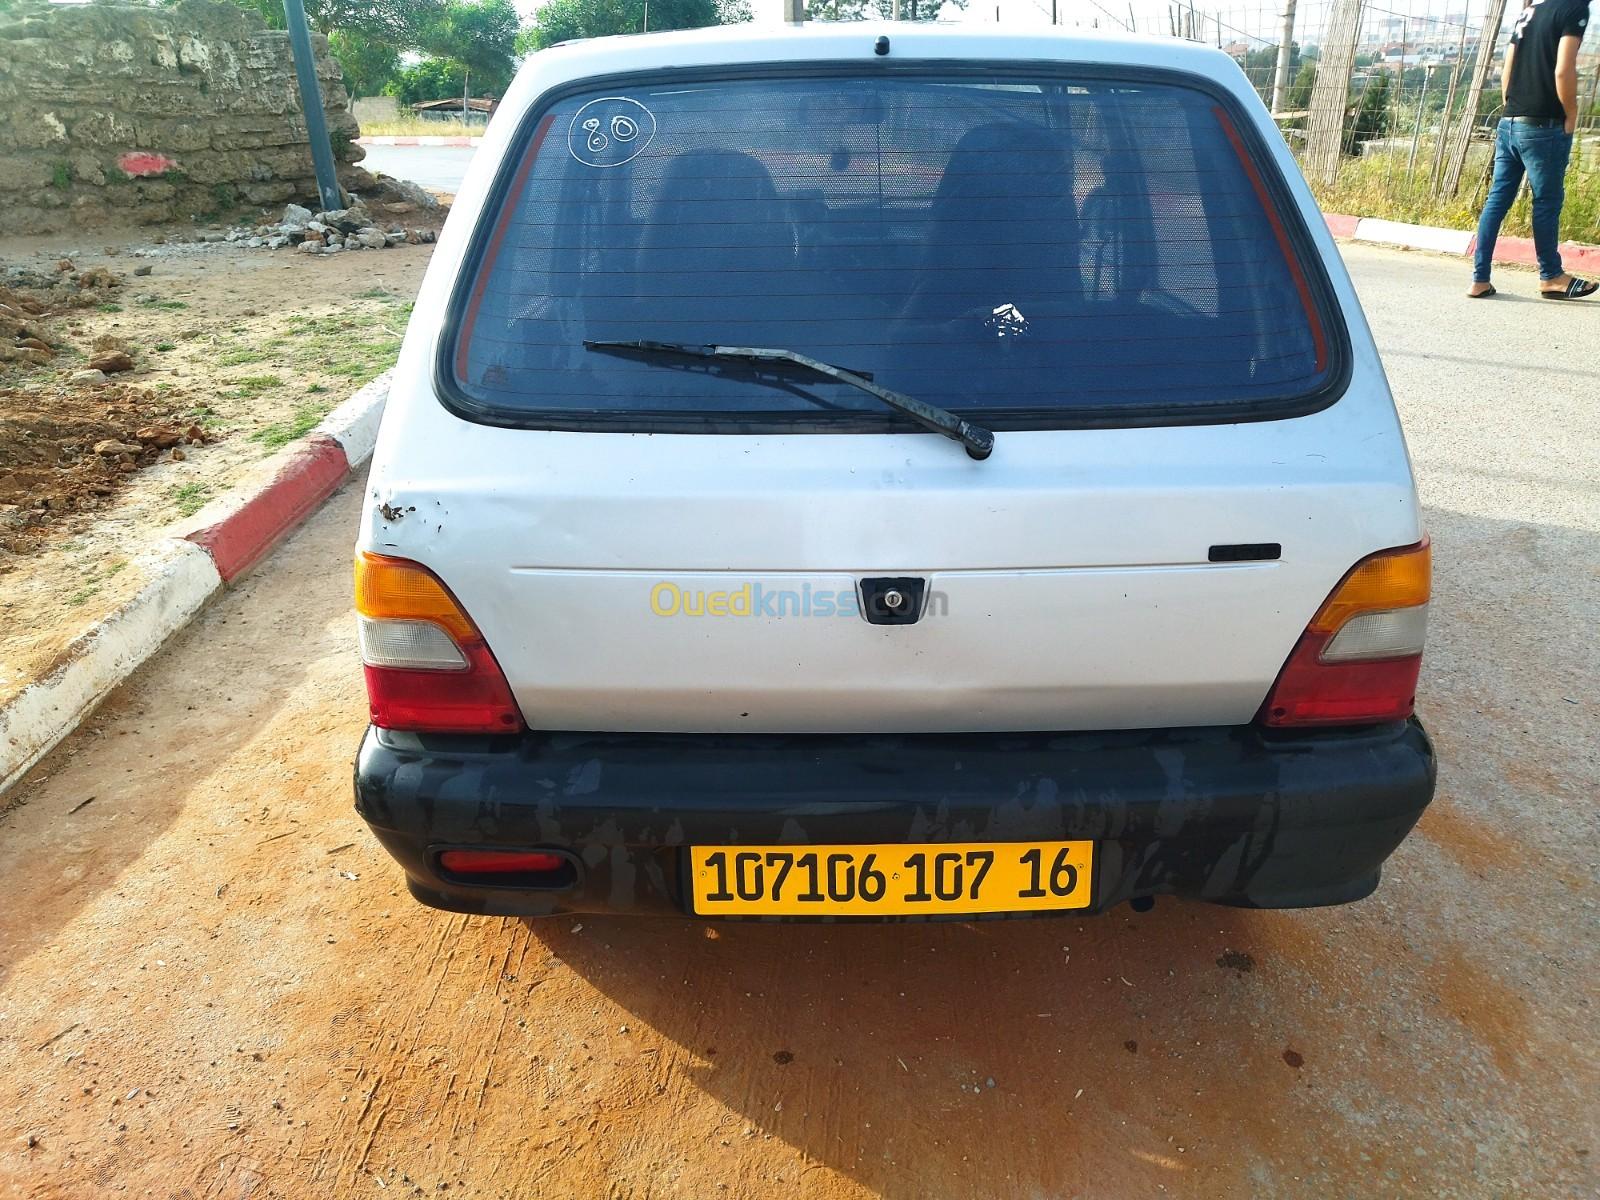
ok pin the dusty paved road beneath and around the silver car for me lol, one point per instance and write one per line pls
(214, 985)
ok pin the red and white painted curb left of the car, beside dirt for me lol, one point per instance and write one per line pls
(185, 570)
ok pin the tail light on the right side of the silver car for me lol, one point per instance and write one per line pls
(1359, 658)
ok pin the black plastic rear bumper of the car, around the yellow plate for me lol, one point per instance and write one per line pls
(1228, 815)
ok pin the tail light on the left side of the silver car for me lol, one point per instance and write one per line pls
(428, 668)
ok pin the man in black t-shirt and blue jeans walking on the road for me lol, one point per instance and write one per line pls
(1535, 138)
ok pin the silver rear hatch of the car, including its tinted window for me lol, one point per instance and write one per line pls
(1110, 274)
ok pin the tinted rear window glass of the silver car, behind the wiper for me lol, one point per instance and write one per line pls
(1026, 249)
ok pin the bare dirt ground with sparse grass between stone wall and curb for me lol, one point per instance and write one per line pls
(236, 353)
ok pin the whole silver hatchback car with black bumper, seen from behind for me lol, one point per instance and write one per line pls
(870, 471)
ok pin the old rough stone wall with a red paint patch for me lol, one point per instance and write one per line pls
(121, 114)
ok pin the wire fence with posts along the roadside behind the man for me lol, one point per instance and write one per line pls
(1390, 106)
